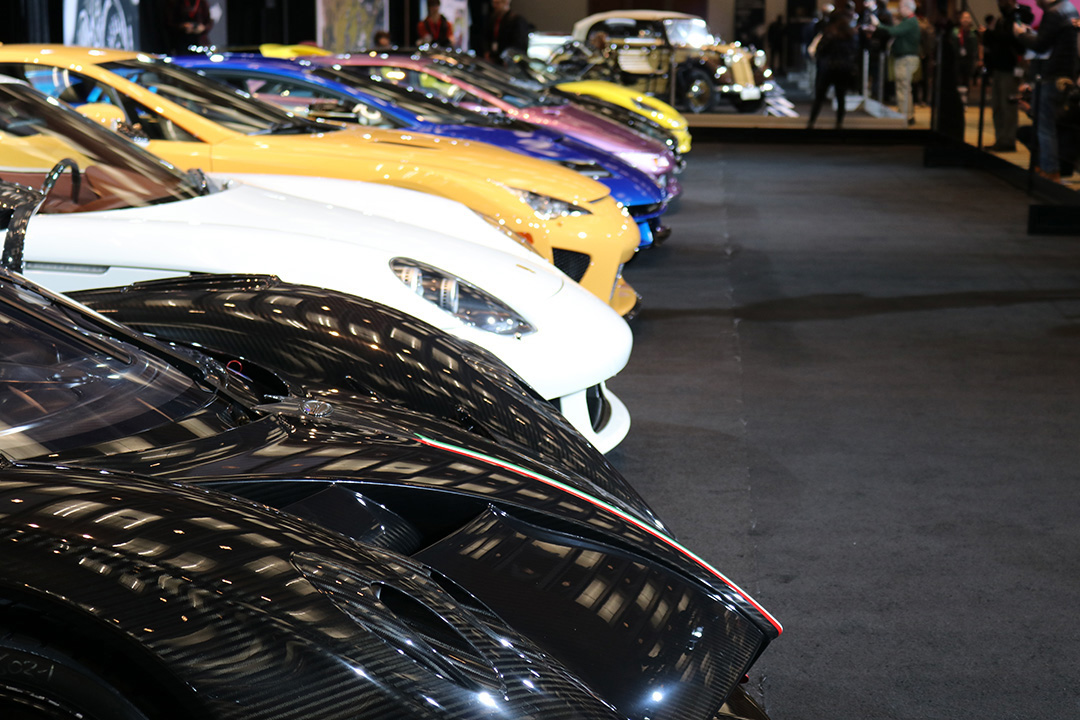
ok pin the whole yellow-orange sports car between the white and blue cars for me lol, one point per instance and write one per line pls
(193, 123)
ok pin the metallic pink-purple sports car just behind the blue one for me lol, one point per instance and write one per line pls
(491, 93)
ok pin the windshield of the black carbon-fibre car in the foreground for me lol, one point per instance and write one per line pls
(66, 383)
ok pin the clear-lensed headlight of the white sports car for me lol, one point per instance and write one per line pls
(467, 303)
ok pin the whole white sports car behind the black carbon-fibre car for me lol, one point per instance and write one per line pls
(115, 215)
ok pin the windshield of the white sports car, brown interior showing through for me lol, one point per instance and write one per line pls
(37, 132)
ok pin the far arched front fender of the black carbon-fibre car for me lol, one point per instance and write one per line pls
(336, 346)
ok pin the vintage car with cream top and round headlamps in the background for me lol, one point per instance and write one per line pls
(677, 58)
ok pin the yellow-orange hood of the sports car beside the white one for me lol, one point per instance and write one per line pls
(411, 153)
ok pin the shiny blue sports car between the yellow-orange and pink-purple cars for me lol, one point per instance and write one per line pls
(325, 93)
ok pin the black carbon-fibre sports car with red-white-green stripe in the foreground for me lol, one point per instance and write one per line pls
(450, 576)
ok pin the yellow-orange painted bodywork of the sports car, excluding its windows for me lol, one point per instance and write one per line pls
(481, 176)
